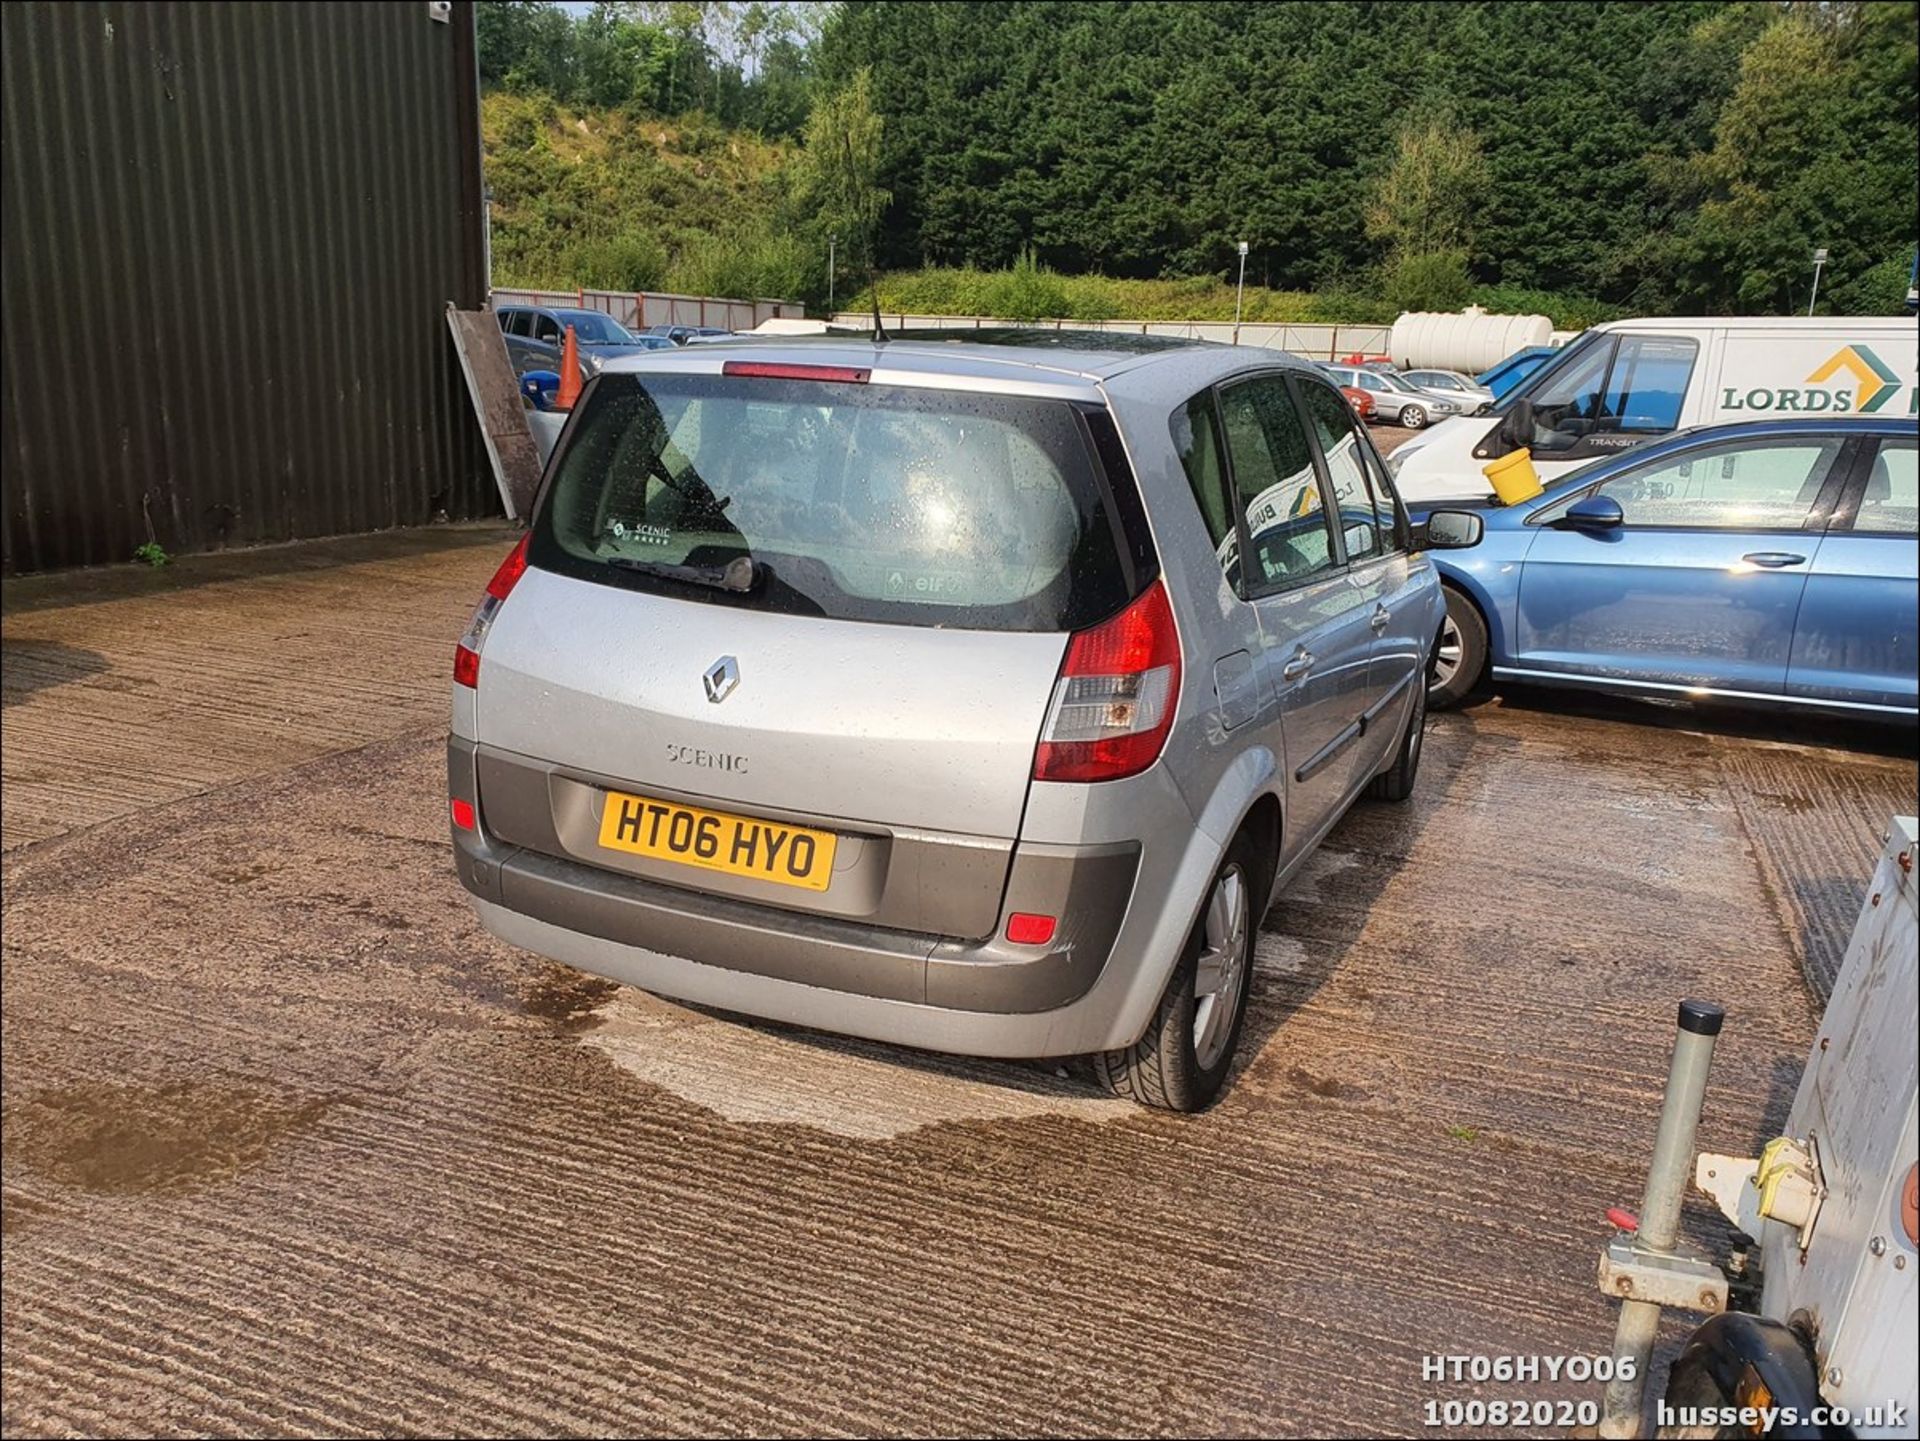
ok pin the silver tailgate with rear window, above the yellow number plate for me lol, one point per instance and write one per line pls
(917, 559)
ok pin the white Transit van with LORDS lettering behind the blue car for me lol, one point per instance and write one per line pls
(1633, 381)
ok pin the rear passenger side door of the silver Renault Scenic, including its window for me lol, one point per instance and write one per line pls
(1316, 644)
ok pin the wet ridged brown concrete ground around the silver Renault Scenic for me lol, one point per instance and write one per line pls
(291, 1146)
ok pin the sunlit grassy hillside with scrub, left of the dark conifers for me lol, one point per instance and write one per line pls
(631, 202)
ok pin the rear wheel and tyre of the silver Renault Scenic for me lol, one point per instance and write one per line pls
(1182, 1062)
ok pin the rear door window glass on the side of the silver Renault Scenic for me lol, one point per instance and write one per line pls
(1276, 484)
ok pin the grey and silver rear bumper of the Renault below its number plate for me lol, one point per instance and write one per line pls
(809, 968)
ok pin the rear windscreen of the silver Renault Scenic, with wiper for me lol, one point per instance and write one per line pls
(852, 502)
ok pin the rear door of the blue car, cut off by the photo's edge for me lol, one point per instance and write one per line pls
(1856, 636)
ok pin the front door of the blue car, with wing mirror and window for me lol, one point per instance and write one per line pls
(1702, 580)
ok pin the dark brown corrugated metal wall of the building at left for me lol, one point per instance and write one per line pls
(229, 239)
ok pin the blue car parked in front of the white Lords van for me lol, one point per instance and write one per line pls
(1758, 565)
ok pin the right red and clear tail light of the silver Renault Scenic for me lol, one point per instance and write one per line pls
(1116, 696)
